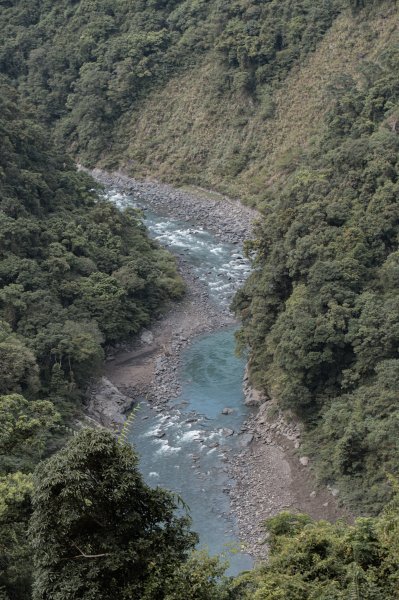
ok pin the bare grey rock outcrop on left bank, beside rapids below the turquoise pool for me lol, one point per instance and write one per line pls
(107, 405)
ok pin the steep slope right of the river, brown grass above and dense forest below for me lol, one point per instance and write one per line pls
(320, 312)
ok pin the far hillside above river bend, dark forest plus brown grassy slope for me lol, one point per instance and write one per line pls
(224, 94)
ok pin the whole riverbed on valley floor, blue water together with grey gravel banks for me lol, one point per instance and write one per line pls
(185, 375)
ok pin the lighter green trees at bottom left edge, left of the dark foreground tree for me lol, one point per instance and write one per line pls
(24, 427)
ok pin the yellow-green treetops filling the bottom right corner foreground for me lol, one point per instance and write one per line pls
(322, 561)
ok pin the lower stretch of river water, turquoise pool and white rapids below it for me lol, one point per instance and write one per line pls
(189, 460)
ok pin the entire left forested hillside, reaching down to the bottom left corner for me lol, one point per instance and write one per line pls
(75, 274)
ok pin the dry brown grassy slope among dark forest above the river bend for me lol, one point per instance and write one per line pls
(194, 130)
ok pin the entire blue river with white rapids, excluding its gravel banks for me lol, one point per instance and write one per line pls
(185, 448)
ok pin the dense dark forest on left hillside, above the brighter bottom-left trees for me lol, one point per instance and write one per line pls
(75, 271)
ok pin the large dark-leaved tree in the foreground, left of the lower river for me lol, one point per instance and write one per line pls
(97, 530)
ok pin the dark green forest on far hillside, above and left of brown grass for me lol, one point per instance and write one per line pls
(86, 65)
